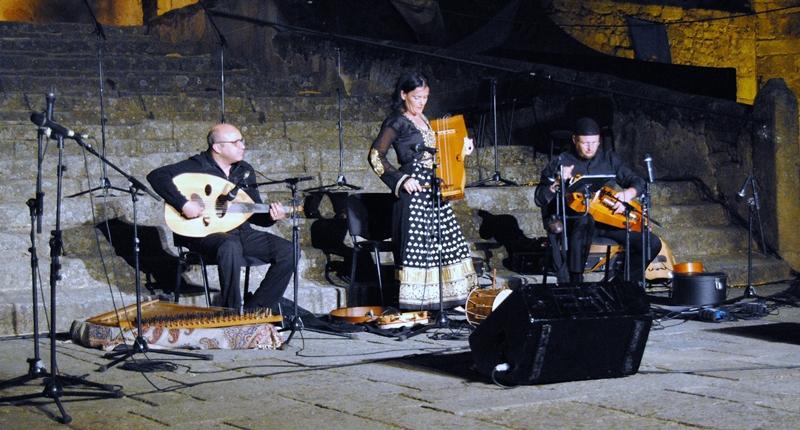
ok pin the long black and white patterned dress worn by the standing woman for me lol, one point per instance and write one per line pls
(416, 224)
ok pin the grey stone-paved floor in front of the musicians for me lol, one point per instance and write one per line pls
(741, 374)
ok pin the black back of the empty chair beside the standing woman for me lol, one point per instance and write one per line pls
(369, 215)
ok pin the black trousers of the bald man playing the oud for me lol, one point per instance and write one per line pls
(230, 250)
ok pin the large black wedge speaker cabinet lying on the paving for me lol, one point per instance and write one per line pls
(564, 333)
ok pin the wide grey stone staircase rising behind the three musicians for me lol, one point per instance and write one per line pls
(160, 101)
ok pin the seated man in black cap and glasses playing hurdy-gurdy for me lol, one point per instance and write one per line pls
(587, 157)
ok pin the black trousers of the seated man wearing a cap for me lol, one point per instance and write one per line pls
(581, 232)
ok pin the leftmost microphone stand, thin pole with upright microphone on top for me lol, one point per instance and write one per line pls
(36, 368)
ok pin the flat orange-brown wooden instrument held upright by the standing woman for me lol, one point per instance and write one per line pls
(452, 147)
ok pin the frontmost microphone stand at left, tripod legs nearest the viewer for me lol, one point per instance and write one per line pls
(55, 383)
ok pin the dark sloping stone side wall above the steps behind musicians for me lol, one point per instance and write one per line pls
(689, 137)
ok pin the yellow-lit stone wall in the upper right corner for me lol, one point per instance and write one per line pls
(760, 47)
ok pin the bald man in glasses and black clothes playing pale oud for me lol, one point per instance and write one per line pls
(224, 159)
